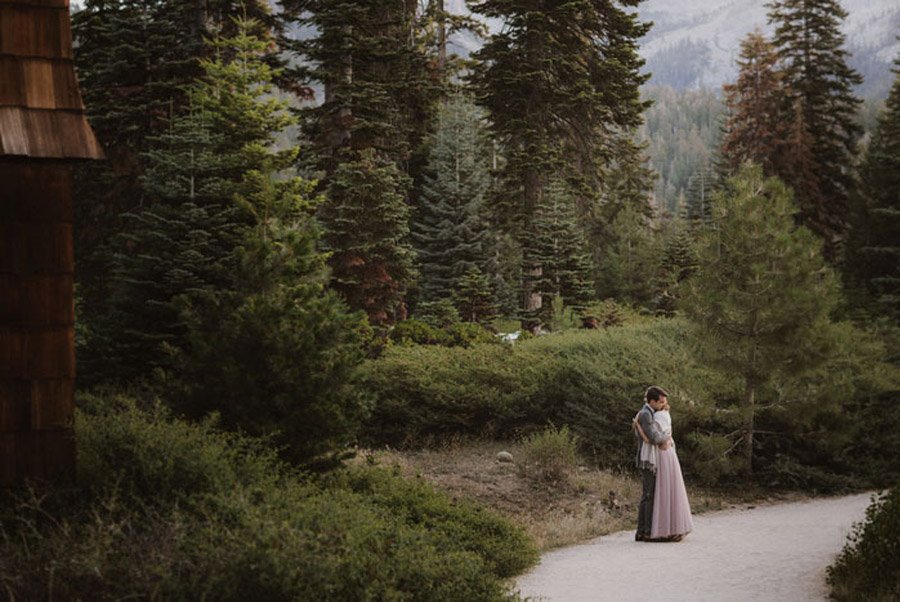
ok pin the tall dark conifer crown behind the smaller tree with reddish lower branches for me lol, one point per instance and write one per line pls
(378, 91)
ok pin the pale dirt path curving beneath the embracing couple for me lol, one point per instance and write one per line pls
(770, 553)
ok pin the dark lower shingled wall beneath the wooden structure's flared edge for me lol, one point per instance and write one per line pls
(37, 318)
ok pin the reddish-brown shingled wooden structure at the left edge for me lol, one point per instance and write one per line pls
(42, 131)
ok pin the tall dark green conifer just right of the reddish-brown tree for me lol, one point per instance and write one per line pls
(819, 86)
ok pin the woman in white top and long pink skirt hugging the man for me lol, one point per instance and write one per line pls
(671, 509)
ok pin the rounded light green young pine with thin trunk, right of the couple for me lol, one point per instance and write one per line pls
(762, 292)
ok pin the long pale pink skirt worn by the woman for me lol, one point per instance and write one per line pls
(671, 509)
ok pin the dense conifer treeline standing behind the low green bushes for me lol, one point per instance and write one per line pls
(237, 276)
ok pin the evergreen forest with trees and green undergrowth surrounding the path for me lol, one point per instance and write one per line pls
(319, 230)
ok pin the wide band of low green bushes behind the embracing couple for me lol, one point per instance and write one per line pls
(814, 429)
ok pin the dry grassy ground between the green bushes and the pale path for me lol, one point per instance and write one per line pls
(585, 505)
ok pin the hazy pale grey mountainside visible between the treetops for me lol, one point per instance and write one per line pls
(693, 43)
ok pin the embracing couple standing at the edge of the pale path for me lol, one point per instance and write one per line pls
(664, 513)
